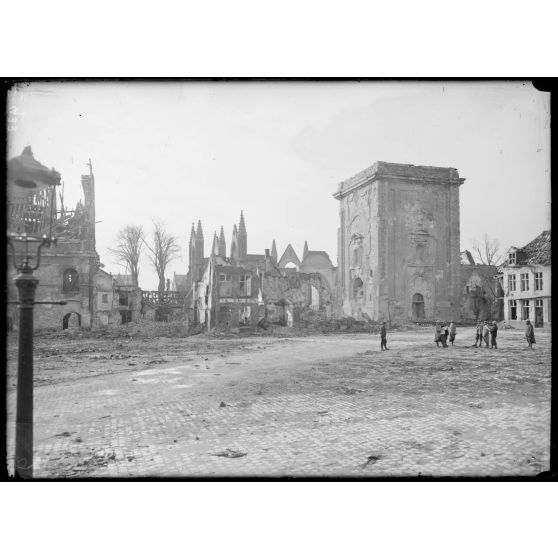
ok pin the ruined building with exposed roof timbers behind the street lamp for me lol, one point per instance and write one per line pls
(69, 271)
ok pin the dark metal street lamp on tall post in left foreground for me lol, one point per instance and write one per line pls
(31, 199)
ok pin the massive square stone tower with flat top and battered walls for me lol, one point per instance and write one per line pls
(398, 243)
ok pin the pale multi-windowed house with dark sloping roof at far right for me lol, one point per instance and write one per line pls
(525, 279)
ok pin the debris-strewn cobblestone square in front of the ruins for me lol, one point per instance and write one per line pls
(329, 405)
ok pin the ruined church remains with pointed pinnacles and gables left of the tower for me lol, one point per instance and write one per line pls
(242, 289)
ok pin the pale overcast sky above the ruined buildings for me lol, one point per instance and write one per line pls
(179, 152)
